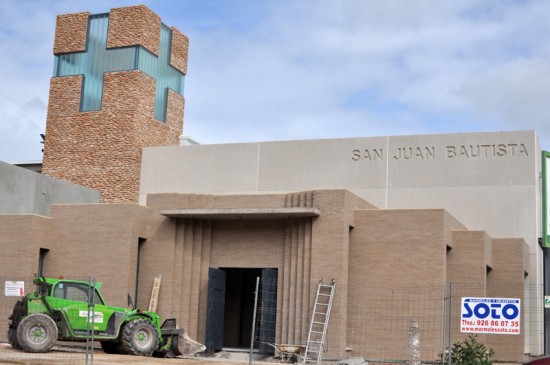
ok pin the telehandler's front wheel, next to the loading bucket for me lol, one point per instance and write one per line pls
(140, 337)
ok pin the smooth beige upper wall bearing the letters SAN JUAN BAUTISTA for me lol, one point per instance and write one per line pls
(488, 181)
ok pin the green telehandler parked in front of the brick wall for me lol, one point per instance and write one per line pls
(72, 310)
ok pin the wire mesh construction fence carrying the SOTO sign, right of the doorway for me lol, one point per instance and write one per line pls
(401, 325)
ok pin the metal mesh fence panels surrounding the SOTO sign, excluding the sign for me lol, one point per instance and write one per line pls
(398, 325)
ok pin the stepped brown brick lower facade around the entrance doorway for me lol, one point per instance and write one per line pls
(360, 247)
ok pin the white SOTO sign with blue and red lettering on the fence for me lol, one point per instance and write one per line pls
(490, 315)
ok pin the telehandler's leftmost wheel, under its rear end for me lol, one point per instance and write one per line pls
(37, 333)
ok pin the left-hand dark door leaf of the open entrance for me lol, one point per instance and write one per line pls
(215, 309)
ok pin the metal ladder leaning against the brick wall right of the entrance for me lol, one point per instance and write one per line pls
(319, 323)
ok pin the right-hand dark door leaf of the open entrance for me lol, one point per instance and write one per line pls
(268, 302)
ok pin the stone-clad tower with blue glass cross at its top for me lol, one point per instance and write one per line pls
(117, 87)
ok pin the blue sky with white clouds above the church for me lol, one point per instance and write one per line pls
(270, 70)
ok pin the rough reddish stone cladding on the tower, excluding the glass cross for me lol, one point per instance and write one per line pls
(102, 149)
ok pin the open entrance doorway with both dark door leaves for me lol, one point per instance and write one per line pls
(230, 308)
